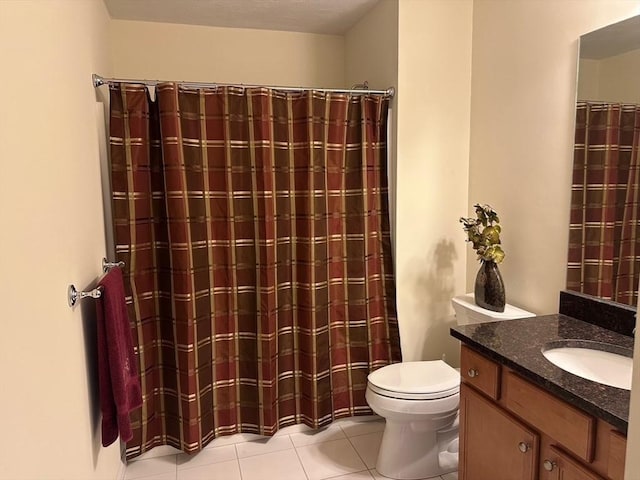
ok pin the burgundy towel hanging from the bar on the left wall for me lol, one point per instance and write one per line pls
(120, 391)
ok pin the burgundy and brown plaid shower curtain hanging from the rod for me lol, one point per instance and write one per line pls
(254, 225)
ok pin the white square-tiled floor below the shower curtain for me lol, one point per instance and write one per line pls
(346, 450)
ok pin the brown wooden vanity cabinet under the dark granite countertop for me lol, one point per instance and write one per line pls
(512, 429)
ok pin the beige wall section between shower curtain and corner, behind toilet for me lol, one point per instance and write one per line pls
(434, 81)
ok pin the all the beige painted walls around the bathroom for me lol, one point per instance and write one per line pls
(502, 136)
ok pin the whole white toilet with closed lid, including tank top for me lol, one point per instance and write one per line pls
(419, 401)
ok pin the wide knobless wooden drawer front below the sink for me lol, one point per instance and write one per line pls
(572, 428)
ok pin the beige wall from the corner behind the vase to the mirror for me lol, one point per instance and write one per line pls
(522, 120)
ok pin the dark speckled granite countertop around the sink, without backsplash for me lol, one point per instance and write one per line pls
(518, 345)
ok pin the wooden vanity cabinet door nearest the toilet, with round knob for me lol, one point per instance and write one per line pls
(494, 445)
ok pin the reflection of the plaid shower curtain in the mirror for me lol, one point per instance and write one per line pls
(604, 237)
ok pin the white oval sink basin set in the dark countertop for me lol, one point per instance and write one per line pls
(600, 362)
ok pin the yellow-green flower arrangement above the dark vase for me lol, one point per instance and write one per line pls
(484, 233)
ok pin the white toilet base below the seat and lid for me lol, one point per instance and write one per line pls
(409, 453)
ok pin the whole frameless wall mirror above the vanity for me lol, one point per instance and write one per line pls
(604, 234)
